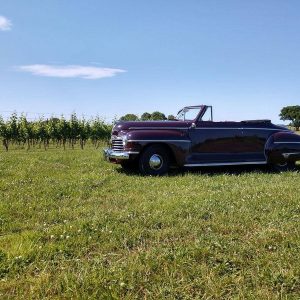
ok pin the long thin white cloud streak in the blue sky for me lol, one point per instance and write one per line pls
(71, 71)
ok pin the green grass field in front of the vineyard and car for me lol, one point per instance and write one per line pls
(73, 226)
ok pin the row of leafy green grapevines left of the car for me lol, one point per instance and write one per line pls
(61, 132)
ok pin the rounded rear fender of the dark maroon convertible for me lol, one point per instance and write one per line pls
(282, 147)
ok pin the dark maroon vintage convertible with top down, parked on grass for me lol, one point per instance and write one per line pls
(194, 140)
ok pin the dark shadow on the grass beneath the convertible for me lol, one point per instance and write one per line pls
(212, 171)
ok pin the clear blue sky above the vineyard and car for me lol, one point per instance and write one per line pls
(114, 57)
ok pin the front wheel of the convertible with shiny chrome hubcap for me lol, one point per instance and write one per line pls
(154, 161)
